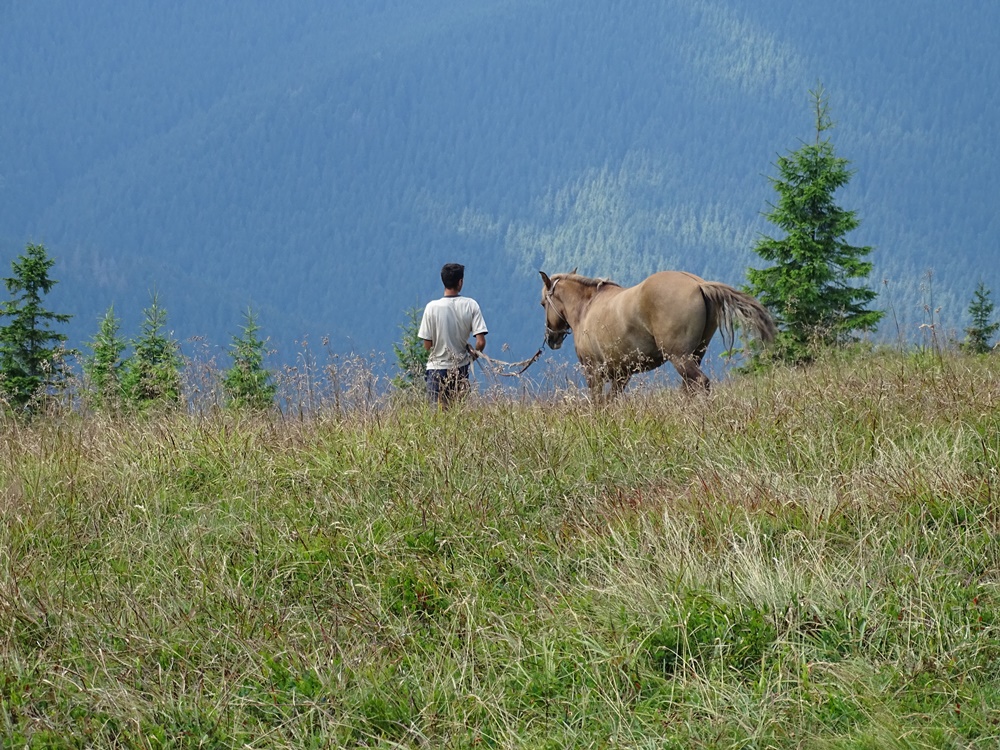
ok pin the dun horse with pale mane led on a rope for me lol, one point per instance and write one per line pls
(669, 317)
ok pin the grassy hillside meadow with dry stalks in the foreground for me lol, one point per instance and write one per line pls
(804, 559)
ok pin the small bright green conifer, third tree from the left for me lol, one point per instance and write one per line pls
(153, 373)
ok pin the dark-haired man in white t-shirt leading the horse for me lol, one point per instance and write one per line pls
(446, 326)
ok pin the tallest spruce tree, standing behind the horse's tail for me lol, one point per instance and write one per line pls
(814, 287)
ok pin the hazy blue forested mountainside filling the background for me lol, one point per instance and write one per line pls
(320, 160)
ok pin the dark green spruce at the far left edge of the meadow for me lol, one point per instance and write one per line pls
(31, 351)
